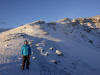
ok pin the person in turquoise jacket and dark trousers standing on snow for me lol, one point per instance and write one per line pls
(26, 53)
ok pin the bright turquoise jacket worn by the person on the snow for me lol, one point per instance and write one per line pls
(25, 50)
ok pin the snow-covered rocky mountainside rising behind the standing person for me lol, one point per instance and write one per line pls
(65, 47)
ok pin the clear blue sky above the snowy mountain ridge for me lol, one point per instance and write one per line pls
(13, 13)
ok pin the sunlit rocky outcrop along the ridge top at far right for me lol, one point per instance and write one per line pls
(92, 22)
